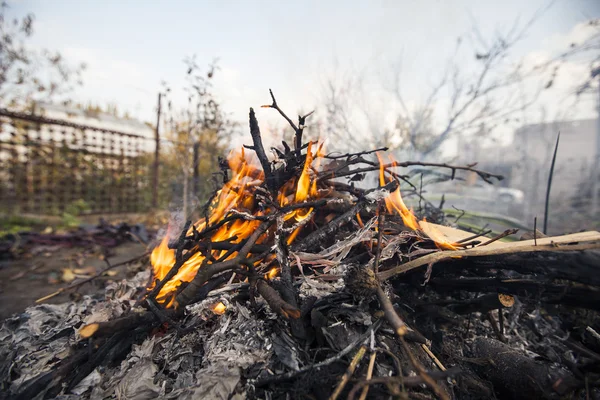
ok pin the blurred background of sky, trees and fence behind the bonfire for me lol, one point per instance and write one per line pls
(119, 107)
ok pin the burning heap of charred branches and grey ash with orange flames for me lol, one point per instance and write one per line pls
(298, 280)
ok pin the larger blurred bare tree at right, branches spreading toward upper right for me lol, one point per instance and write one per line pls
(489, 94)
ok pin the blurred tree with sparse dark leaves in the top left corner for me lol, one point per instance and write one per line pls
(27, 75)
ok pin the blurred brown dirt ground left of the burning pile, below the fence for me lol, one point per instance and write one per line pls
(31, 277)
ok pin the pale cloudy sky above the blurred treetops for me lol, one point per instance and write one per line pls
(291, 47)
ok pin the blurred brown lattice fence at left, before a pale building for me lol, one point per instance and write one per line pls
(47, 166)
